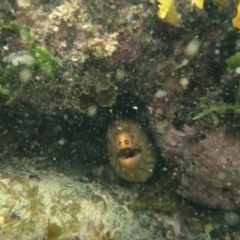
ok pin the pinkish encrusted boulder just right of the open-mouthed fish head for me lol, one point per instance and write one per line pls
(209, 161)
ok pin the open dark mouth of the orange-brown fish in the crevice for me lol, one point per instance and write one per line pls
(129, 158)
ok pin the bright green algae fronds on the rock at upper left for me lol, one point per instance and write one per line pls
(12, 87)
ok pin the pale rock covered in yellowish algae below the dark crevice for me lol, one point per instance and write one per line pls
(59, 208)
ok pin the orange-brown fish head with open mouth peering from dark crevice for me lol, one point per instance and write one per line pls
(130, 152)
